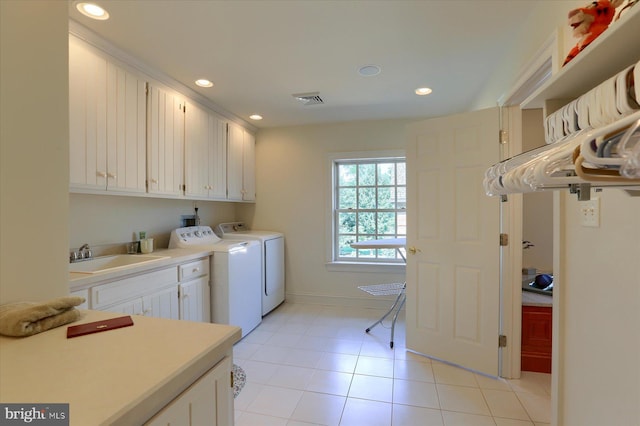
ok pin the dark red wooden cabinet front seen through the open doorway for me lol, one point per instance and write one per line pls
(536, 338)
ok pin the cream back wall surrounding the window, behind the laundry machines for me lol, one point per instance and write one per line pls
(292, 185)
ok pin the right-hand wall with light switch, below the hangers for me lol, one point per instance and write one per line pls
(598, 359)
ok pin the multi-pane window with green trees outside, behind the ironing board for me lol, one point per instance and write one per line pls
(369, 202)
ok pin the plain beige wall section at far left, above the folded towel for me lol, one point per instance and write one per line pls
(34, 150)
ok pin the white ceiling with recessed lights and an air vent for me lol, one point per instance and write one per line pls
(258, 53)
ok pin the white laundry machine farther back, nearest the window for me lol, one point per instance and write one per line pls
(272, 244)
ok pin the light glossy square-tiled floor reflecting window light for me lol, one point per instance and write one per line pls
(315, 365)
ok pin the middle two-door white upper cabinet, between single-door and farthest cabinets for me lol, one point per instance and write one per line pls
(206, 154)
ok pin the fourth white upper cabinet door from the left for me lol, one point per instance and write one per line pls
(196, 152)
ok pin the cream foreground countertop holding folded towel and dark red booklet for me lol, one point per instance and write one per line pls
(117, 377)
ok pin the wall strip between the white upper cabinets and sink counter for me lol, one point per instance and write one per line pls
(103, 220)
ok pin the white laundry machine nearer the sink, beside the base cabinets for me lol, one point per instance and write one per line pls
(236, 275)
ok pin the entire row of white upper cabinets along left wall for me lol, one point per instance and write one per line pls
(130, 134)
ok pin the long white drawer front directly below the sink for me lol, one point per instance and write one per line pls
(122, 290)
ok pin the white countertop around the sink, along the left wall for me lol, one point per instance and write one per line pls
(177, 256)
